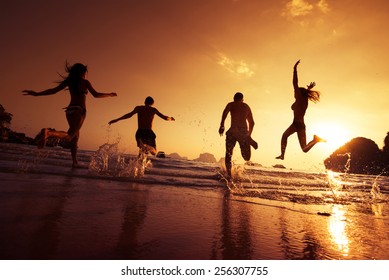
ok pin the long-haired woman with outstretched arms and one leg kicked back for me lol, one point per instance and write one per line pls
(76, 110)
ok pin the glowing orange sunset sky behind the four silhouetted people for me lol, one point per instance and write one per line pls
(192, 56)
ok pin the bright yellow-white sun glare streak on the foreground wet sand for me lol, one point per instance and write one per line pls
(337, 229)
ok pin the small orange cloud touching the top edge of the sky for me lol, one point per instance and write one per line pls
(299, 8)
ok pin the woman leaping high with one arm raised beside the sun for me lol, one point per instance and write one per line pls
(299, 107)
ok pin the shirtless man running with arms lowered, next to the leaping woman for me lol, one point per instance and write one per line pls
(239, 131)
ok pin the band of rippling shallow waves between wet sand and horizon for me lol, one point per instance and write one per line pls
(108, 163)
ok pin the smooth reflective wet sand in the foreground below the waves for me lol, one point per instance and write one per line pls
(58, 217)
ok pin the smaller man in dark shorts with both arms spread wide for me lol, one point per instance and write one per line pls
(145, 136)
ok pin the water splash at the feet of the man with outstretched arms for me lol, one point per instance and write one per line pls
(107, 160)
